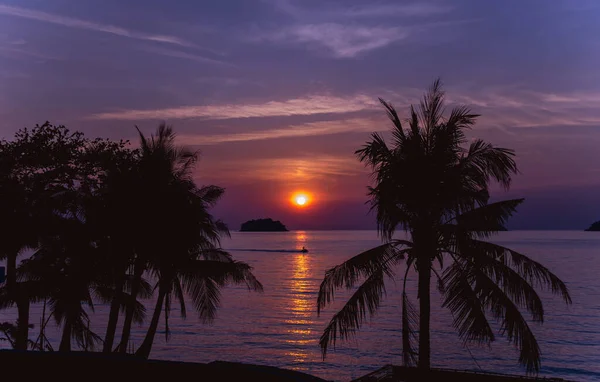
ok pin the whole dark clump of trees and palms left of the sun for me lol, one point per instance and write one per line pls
(99, 216)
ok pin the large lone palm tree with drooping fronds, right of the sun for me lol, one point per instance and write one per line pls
(437, 190)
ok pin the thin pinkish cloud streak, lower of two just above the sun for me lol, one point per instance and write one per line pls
(295, 131)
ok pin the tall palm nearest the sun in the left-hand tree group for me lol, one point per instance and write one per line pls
(182, 239)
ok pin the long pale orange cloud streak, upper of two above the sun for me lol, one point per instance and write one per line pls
(298, 106)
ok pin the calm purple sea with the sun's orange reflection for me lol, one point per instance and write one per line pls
(280, 327)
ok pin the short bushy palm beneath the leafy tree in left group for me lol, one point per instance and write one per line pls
(70, 271)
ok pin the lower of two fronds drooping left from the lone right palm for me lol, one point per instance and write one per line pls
(344, 323)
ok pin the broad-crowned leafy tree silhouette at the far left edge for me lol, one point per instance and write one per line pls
(42, 171)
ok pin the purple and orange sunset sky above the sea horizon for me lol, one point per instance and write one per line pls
(278, 94)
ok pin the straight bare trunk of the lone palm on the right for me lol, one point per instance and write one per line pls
(424, 268)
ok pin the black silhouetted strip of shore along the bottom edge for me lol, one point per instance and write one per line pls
(78, 366)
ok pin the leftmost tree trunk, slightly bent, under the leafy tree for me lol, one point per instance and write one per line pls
(20, 299)
